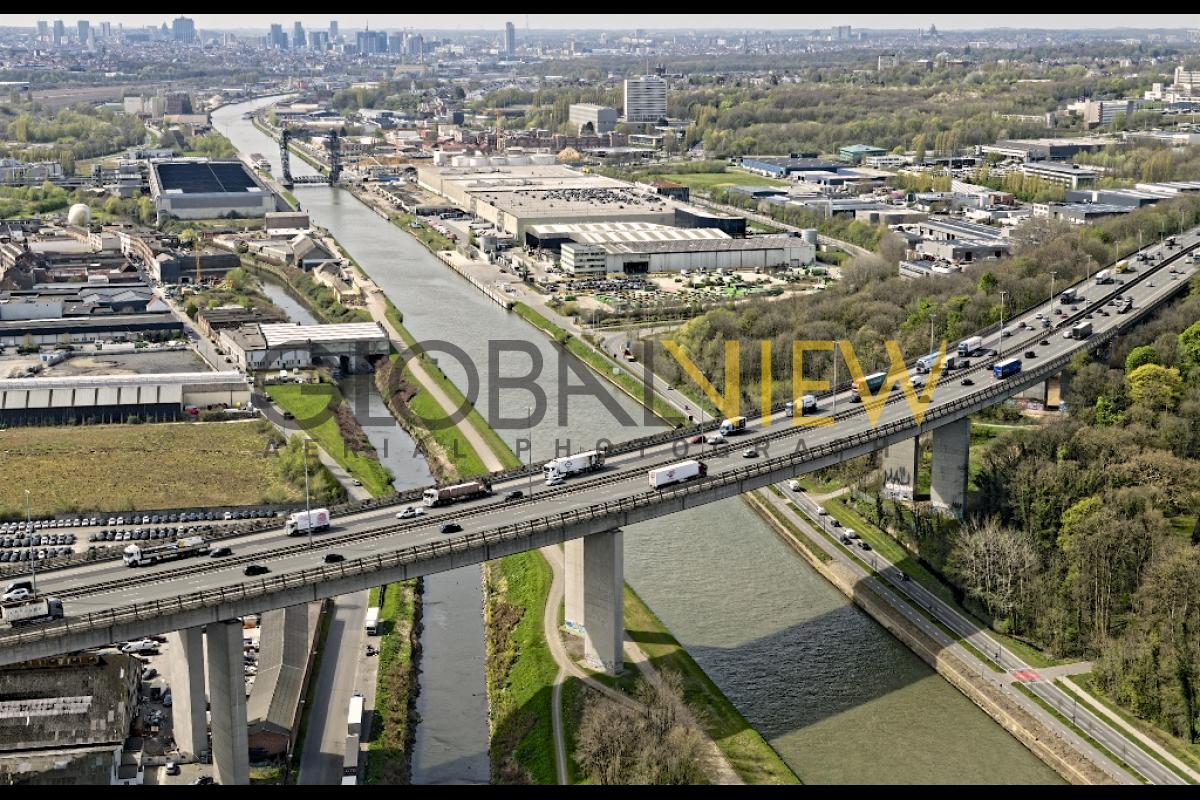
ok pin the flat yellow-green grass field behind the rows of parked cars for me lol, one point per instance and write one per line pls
(123, 467)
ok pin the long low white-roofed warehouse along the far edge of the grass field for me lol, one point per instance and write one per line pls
(116, 399)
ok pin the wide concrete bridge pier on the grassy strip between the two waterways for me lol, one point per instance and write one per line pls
(595, 598)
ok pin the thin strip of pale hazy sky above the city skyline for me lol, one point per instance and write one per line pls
(627, 22)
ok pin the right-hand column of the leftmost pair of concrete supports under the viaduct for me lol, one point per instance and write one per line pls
(227, 691)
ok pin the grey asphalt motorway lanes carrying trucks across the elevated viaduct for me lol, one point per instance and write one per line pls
(104, 586)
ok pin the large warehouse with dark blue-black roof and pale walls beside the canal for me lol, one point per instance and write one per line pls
(199, 189)
